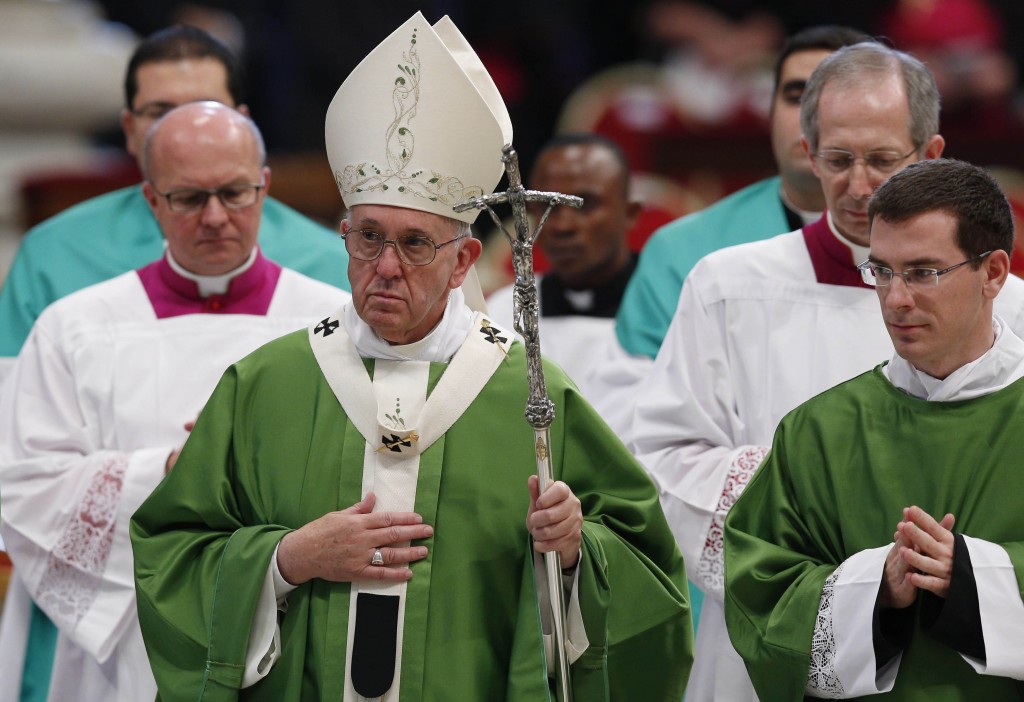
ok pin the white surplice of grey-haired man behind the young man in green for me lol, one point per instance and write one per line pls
(755, 335)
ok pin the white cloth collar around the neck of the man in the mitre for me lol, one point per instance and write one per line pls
(439, 346)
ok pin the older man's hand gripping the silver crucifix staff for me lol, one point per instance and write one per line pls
(556, 520)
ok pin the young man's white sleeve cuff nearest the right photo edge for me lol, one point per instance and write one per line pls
(1002, 610)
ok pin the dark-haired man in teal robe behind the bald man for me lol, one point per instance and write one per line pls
(116, 233)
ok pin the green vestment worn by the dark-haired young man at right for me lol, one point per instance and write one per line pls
(842, 468)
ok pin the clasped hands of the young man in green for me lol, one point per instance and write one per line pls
(922, 558)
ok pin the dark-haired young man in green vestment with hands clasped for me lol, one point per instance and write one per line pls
(878, 549)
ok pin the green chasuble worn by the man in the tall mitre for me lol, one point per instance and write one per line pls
(274, 451)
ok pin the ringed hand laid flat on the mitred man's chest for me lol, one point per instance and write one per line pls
(339, 546)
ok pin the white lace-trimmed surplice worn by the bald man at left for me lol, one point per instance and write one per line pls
(96, 404)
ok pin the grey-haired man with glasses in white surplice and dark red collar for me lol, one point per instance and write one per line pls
(763, 327)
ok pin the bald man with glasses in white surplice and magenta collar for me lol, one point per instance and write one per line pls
(97, 406)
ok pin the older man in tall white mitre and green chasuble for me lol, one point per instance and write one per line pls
(355, 515)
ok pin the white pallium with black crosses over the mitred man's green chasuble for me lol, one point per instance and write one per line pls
(399, 421)
